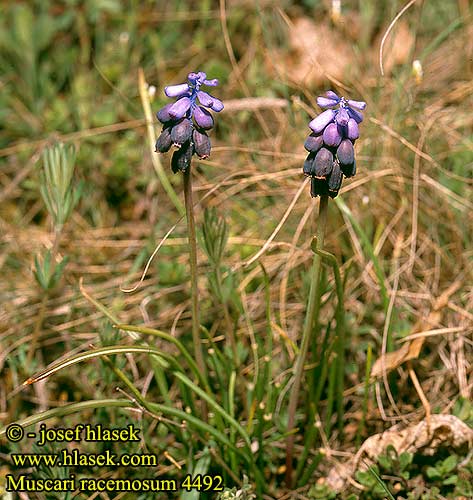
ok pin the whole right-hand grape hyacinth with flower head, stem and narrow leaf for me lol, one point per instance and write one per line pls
(331, 157)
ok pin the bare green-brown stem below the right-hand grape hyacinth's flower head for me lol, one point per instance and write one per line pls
(306, 336)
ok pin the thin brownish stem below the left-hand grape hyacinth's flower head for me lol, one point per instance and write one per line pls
(193, 266)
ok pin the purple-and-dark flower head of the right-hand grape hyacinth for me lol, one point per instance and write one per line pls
(330, 146)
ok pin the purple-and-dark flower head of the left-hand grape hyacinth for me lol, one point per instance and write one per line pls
(187, 120)
